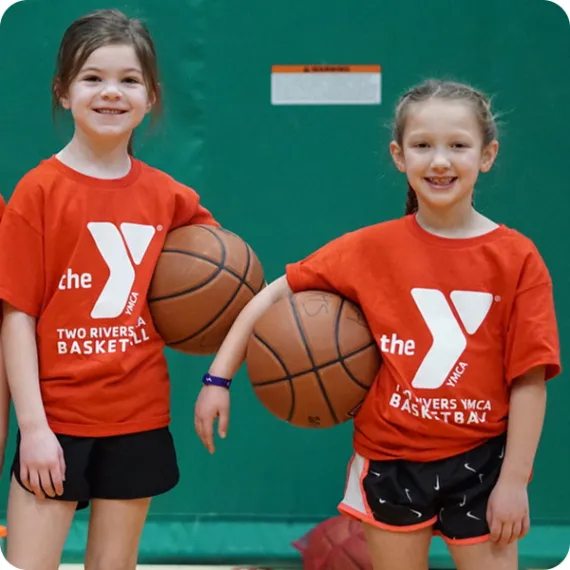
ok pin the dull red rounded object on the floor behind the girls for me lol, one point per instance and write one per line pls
(335, 544)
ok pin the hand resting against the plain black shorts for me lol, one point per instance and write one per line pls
(42, 466)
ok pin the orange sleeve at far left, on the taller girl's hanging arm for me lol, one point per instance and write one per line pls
(22, 270)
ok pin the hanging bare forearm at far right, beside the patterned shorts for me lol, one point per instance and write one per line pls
(526, 420)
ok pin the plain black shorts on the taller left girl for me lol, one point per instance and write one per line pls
(132, 466)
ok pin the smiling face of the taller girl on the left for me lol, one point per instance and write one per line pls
(108, 97)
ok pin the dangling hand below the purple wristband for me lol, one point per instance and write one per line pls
(213, 402)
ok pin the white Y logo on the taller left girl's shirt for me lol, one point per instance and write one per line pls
(114, 247)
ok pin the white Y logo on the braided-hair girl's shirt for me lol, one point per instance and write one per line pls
(449, 342)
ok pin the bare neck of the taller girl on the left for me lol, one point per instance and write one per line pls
(101, 159)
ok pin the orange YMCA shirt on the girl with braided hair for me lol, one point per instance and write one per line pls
(456, 320)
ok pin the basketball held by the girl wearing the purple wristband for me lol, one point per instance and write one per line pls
(312, 358)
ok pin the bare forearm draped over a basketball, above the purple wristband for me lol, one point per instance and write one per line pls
(233, 350)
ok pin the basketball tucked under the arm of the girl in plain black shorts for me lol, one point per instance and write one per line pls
(204, 277)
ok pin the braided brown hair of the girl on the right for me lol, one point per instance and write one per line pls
(449, 90)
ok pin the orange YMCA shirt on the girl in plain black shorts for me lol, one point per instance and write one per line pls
(78, 253)
